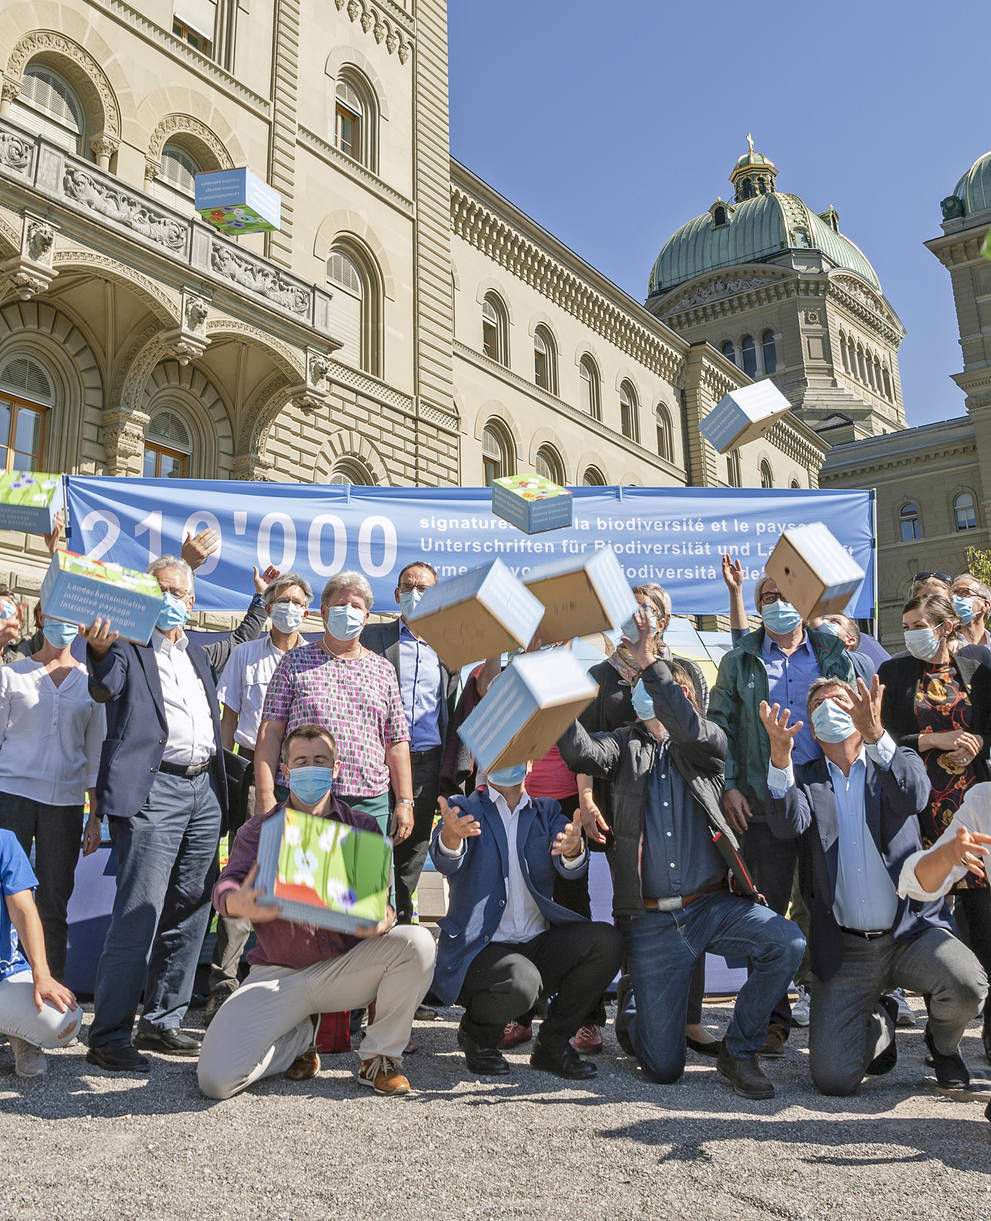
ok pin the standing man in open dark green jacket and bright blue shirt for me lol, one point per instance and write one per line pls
(779, 664)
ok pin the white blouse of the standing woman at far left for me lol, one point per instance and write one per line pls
(51, 737)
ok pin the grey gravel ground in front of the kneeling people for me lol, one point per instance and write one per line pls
(82, 1143)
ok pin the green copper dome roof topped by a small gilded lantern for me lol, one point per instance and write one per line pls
(761, 225)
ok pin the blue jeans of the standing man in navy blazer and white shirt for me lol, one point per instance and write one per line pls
(167, 868)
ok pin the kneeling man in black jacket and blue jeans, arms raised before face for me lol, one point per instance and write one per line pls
(671, 855)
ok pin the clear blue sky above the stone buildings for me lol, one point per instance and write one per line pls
(614, 124)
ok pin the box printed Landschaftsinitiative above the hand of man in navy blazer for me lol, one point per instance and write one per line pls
(80, 590)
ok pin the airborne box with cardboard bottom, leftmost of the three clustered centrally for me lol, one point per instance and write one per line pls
(479, 615)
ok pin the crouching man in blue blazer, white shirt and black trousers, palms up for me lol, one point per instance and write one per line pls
(505, 942)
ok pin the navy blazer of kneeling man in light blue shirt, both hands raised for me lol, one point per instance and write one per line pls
(893, 800)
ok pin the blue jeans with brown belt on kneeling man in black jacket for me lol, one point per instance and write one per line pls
(662, 951)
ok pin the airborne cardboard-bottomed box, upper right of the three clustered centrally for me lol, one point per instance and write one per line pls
(582, 595)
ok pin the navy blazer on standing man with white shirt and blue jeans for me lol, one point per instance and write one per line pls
(126, 681)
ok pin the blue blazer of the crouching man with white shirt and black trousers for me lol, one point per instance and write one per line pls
(480, 881)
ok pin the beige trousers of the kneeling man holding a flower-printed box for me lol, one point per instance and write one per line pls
(265, 1025)
